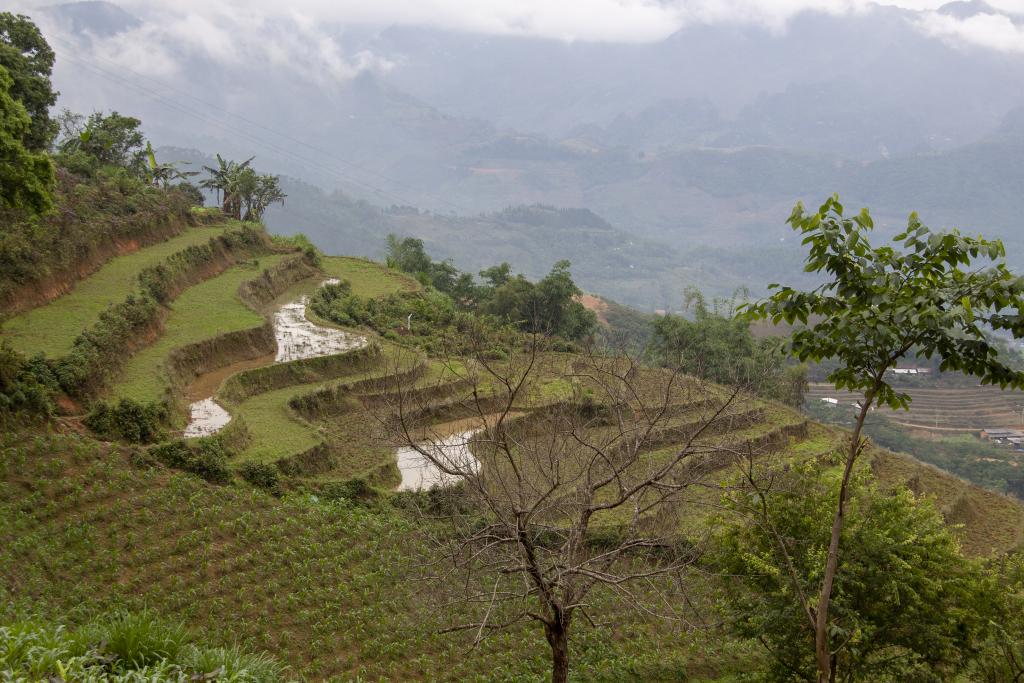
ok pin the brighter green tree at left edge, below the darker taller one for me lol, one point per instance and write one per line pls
(26, 178)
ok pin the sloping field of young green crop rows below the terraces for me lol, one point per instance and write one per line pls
(335, 590)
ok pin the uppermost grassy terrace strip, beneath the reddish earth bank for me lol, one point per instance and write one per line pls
(53, 328)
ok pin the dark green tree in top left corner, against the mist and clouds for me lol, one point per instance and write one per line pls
(29, 61)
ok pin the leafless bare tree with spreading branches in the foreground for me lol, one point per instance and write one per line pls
(572, 468)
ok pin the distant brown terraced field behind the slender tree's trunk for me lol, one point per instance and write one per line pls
(948, 410)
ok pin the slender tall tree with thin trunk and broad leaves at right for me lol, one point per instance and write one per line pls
(877, 306)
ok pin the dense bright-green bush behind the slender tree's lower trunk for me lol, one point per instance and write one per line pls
(907, 606)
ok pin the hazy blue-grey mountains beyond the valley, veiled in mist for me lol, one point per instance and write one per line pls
(693, 149)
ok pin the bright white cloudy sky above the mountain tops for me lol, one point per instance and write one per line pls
(302, 35)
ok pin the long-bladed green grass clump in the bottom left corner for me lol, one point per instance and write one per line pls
(124, 647)
